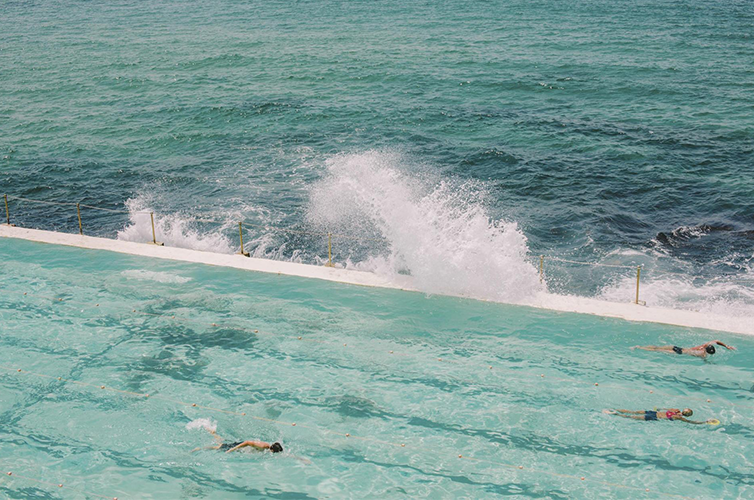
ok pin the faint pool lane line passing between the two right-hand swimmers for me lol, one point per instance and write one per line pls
(439, 360)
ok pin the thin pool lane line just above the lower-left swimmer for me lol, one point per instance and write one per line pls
(518, 468)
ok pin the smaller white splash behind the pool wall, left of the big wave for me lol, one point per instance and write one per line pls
(172, 230)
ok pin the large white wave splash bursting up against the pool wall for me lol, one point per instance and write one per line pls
(438, 231)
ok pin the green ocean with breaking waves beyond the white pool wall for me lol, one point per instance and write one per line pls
(464, 138)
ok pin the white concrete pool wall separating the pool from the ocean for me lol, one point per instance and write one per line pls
(627, 311)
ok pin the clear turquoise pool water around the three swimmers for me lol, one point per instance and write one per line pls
(368, 364)
